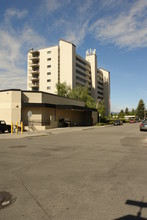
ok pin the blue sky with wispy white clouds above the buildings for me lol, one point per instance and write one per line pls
(116, 29)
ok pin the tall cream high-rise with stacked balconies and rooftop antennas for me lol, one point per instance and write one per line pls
(61, 63)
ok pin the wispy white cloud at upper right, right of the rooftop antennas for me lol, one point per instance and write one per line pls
(126, 29)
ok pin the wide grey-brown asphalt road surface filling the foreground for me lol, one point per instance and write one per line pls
(87, 174)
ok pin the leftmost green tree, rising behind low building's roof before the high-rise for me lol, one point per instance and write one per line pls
(63, 89)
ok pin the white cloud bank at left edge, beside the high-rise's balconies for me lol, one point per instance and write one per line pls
(14, 46)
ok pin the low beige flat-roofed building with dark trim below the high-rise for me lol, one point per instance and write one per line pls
(43, 110)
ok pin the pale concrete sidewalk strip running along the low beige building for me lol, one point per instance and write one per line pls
(47, 132)
